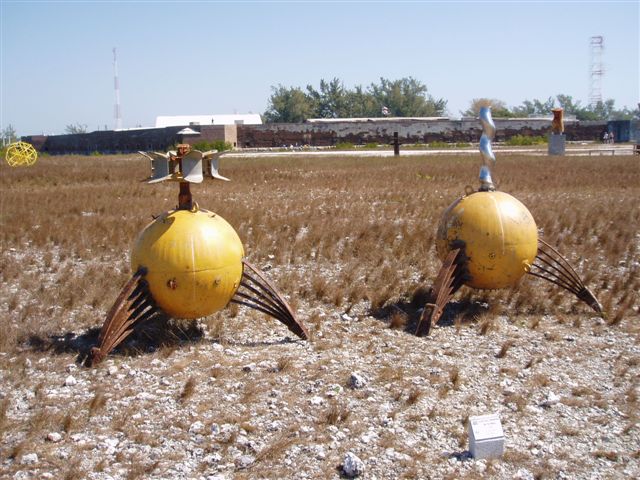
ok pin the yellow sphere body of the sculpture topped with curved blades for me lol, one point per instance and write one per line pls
(193, 260)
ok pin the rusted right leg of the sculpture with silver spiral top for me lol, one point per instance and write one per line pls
(550, 265)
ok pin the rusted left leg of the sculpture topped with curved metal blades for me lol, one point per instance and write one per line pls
(134, 304)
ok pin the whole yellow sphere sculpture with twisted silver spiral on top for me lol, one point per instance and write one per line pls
(488, 240)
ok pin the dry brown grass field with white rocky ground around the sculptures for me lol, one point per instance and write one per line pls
(350, 242)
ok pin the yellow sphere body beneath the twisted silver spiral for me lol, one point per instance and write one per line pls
(500, 237)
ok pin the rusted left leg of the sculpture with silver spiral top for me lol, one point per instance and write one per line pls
(450, 278)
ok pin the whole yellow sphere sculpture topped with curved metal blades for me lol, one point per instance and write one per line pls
(189, 262)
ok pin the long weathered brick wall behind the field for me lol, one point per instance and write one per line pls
(317, 134)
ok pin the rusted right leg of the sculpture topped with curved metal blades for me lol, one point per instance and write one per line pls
(257, 292)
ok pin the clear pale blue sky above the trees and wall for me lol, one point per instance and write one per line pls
(223, 57)
